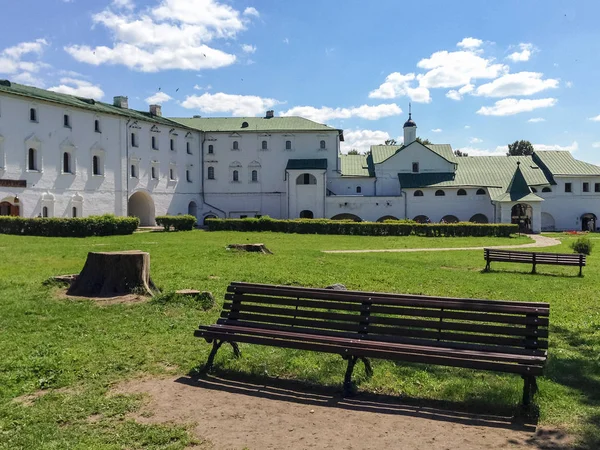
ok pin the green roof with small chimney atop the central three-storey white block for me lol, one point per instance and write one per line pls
(234, 124)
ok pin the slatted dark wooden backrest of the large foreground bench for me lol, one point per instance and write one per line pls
(487, 325)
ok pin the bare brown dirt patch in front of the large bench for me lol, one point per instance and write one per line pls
(238, 414)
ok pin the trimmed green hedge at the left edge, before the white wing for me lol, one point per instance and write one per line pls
(106, 225)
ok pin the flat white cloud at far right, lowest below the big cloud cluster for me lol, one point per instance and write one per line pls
(521, 83)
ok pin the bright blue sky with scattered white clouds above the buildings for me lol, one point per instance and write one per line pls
(479, 74)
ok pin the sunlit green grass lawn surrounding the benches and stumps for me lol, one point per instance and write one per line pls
(75, 350)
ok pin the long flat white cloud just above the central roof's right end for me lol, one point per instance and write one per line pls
(324, 114)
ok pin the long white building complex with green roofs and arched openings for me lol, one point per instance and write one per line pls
(65, 156)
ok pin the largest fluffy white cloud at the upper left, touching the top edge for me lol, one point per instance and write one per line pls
(173, 35)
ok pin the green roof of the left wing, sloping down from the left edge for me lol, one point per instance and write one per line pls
(88, 104)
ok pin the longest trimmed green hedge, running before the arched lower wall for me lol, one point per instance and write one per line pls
(395, 228)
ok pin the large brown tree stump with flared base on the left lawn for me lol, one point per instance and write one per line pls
(111, 274)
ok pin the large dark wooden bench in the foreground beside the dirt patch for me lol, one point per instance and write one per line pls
(501, 336)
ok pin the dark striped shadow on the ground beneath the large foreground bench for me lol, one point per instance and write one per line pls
(474, 414)
